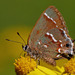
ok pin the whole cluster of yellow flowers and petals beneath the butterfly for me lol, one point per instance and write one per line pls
(27, 66)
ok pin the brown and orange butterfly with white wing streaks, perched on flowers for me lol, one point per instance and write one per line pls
(49, 39)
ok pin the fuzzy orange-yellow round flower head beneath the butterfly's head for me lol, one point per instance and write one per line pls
(24, 65)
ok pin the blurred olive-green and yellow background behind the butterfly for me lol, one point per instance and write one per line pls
(21, 16)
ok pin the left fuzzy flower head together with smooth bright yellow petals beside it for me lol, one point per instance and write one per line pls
(25, 65)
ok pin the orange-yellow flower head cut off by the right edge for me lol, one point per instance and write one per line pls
(70, 66)
